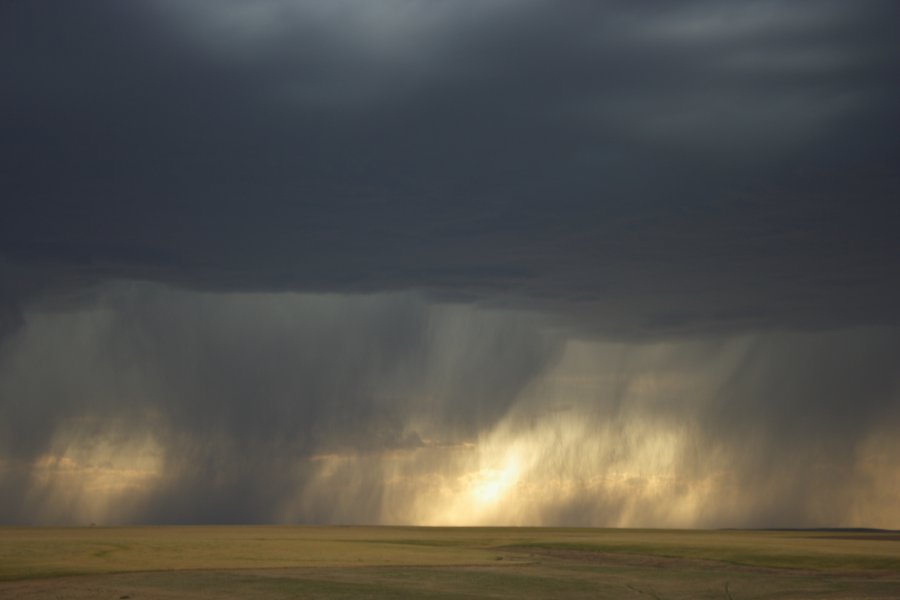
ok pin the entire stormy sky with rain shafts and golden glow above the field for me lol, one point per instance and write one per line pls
(442, 261)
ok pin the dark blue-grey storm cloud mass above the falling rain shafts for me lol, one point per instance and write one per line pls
(649, 168)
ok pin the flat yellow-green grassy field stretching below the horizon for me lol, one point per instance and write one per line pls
(399, 562)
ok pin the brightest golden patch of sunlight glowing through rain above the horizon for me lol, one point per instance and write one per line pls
(518, 476)
